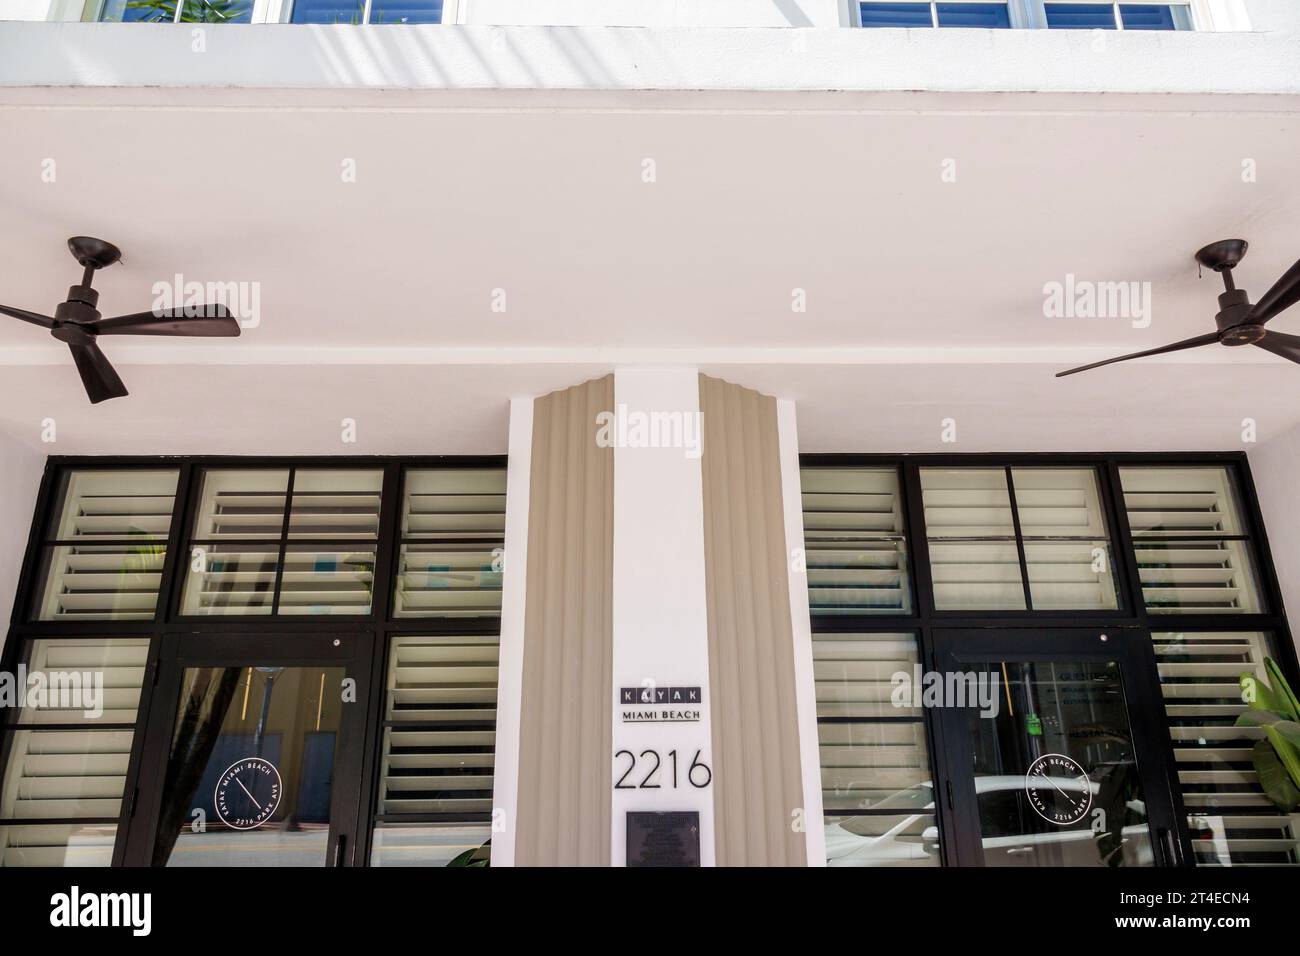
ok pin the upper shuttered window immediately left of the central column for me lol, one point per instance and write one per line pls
(453, 535)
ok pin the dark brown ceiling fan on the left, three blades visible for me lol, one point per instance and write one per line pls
(79, 323)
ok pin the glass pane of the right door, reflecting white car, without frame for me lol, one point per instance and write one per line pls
(1056, 777)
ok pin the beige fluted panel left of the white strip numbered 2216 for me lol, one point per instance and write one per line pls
(565, 763)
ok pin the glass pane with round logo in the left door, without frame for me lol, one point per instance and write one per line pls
(253, 756)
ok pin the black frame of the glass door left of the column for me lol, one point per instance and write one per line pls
(353, 651)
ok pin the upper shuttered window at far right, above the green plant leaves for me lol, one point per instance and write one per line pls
(1190, 542)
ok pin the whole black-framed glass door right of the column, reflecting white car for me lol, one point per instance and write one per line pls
(1054, 749)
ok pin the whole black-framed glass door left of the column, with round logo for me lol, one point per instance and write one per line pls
(258, 755)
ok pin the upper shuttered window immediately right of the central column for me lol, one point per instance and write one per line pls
(855, 542)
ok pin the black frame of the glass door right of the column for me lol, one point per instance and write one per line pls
(1130, 647)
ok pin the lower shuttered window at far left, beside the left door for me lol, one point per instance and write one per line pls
(68, 752)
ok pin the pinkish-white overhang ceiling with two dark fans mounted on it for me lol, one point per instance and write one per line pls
(925, 297)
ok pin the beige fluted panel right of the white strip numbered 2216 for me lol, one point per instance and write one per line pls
(759, 791)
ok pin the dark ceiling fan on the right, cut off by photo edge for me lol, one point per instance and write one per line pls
(1240, 323)
